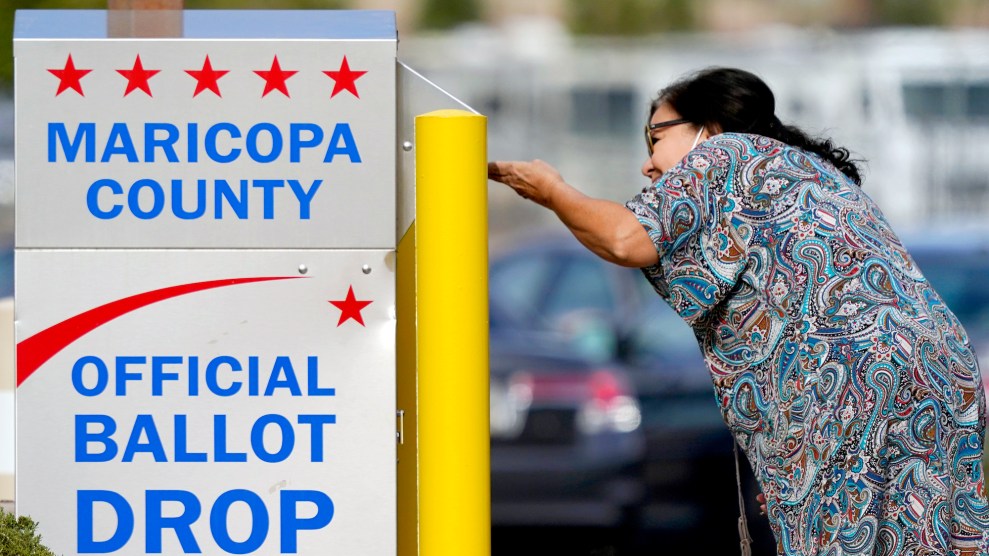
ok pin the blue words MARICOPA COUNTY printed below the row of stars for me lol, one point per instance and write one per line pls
(223, 143)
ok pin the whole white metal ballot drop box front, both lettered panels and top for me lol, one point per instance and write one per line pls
(206, 284)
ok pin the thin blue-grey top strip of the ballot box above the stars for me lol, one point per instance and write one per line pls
(217, 24)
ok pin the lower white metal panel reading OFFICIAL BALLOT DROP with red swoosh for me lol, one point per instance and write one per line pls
(209, 401)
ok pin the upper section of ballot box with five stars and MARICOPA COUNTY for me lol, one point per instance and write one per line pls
(205, 141)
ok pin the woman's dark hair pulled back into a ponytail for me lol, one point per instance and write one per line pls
(735, 100)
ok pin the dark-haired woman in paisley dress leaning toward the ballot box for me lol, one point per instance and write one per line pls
(849, 385)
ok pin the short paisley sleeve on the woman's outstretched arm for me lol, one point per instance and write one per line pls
(689, 215)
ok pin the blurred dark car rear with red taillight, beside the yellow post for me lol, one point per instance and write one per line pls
(565, 432)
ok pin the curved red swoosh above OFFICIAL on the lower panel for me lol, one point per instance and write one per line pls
(33, 352)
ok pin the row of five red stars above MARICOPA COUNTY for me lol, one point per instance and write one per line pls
(207, 78)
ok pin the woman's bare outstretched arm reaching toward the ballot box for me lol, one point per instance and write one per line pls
(608, 229)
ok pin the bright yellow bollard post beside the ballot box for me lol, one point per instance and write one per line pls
(452, 329)
